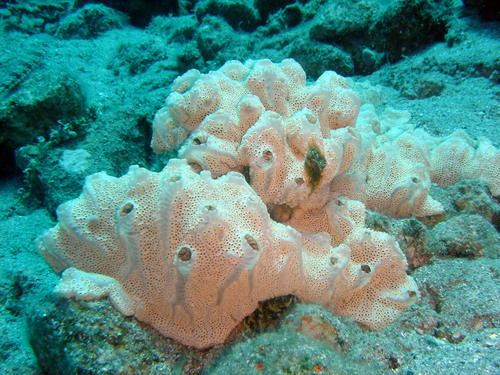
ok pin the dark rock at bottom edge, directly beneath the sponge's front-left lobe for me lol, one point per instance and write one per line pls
(114, 344)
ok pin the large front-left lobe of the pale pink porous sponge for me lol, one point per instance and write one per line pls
(187, 254)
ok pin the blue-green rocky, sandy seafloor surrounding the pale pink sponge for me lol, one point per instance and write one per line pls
(81, 76)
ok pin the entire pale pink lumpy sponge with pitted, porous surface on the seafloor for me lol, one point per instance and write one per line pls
(268, 199)
